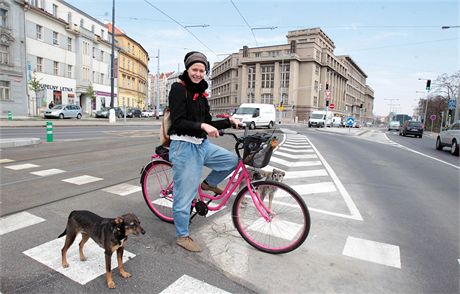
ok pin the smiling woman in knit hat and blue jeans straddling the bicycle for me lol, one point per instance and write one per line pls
(190, 150)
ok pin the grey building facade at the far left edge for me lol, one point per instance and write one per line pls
(13, 80)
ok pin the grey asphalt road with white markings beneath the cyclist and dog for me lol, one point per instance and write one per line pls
(384, 218)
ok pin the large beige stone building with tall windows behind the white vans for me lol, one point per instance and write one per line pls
(303, 75)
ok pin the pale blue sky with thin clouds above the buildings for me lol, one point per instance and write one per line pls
(397, 43)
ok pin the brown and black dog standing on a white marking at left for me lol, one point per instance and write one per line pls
(109, 233)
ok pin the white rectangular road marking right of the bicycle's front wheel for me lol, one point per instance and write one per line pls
(372, 251)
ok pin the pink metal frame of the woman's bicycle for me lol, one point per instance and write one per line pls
(239, 174)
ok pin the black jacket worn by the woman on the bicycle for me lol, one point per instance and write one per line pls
(189, 109)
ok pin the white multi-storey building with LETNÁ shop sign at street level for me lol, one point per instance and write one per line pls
(68, 55)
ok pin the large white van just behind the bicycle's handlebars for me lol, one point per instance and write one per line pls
(256, 115)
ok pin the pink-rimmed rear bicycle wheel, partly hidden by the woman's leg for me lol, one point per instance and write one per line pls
(157, 188)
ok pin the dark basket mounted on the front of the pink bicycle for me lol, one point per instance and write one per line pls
(258, 149)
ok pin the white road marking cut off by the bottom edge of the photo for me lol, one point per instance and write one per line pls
(189, 285)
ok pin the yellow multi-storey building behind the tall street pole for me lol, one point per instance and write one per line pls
(132, 71)
